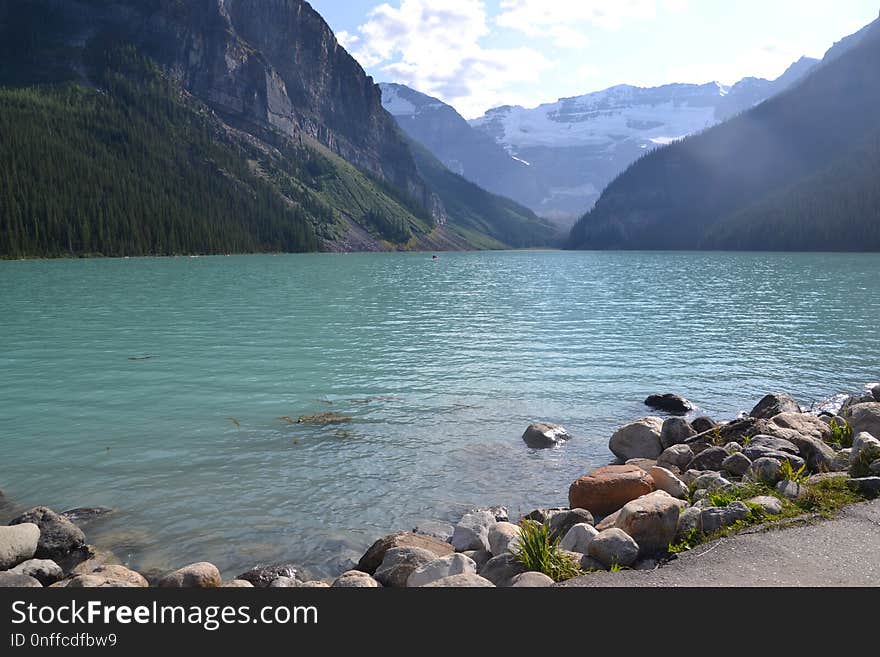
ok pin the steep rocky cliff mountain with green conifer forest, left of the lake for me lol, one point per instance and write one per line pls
(199, 126)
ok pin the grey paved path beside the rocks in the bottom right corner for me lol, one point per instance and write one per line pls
(840, 552)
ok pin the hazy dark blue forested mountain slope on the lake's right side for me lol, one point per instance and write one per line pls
(797, 172)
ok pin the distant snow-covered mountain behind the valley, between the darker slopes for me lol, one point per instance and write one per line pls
(576, 146)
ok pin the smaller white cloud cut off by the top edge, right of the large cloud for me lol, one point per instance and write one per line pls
(566, 22)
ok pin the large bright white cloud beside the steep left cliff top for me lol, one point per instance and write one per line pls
(436, 48)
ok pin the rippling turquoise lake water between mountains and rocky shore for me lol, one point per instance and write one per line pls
(441, 366)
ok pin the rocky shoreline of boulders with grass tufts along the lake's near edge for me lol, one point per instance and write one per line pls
(677, 483)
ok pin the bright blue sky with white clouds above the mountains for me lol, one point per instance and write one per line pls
(479, 54)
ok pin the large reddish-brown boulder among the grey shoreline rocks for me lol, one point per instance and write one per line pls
(605, 490)
